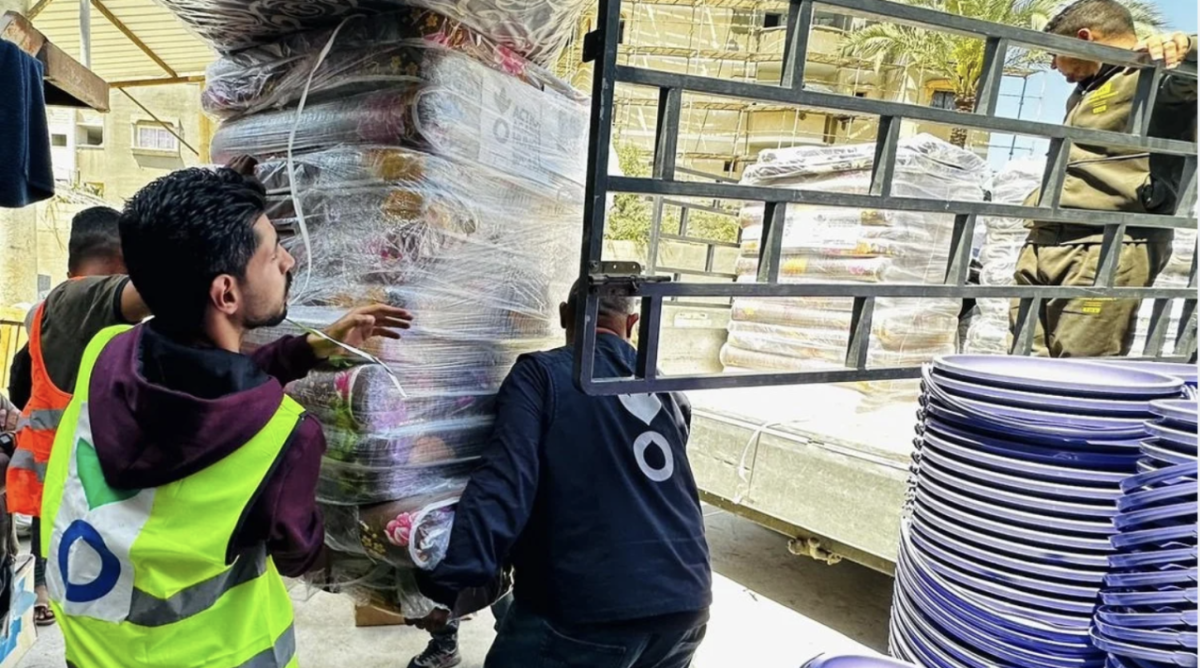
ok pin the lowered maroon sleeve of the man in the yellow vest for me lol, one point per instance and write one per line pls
(286, 516)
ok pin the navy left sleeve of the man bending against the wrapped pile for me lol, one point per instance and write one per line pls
(499, 501)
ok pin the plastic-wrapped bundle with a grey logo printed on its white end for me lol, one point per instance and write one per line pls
(453, 106)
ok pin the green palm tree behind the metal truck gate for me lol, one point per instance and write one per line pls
(959, 61)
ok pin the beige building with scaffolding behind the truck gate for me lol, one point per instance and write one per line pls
(743, 40)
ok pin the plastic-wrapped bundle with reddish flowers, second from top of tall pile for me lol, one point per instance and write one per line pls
(395, 50)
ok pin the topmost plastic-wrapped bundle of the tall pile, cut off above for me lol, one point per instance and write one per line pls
(536, 29)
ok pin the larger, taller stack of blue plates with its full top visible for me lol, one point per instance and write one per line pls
(1006, 540)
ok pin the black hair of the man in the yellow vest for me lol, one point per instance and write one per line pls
(182, 232)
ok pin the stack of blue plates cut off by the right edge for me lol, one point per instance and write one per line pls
(1148, 617)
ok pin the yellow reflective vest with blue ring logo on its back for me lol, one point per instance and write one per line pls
(143, 579)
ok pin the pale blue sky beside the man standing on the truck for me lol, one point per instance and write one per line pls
(1046, 94)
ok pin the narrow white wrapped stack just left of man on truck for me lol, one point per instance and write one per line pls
(991, 333)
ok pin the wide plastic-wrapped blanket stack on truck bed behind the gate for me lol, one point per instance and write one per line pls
(832, 245)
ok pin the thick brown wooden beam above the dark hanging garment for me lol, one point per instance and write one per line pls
(68, 82)
